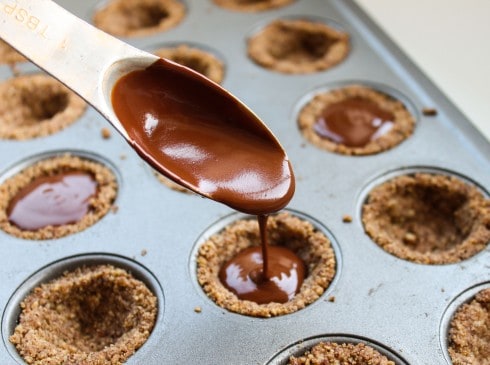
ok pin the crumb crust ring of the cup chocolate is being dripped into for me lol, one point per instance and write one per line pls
(284, 229)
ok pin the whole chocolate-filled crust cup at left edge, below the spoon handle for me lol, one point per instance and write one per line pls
(56, 195)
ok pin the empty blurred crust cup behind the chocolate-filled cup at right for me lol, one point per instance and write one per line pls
(298, 46)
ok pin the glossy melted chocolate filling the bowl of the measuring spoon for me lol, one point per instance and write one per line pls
(194, 132)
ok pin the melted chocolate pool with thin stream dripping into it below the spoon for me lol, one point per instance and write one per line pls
(264, 274)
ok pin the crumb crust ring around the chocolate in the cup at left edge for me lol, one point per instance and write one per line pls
(99, 204)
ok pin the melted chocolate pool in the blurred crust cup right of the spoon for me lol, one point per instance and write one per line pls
(354, 122)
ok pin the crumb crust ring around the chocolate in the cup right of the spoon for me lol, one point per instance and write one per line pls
(403, 123)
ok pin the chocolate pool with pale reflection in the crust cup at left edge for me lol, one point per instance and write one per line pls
(52, 200)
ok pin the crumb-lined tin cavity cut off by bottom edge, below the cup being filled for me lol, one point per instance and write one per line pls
(336, 349)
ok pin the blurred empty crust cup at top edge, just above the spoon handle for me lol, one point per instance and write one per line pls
(129, 18)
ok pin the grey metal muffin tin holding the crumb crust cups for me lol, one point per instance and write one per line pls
(398, 306)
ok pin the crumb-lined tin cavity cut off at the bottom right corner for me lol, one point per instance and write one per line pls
(465, 328)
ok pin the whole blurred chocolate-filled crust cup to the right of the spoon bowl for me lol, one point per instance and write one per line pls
(355, 119)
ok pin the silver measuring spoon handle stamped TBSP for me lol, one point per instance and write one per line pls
(74, 52)
